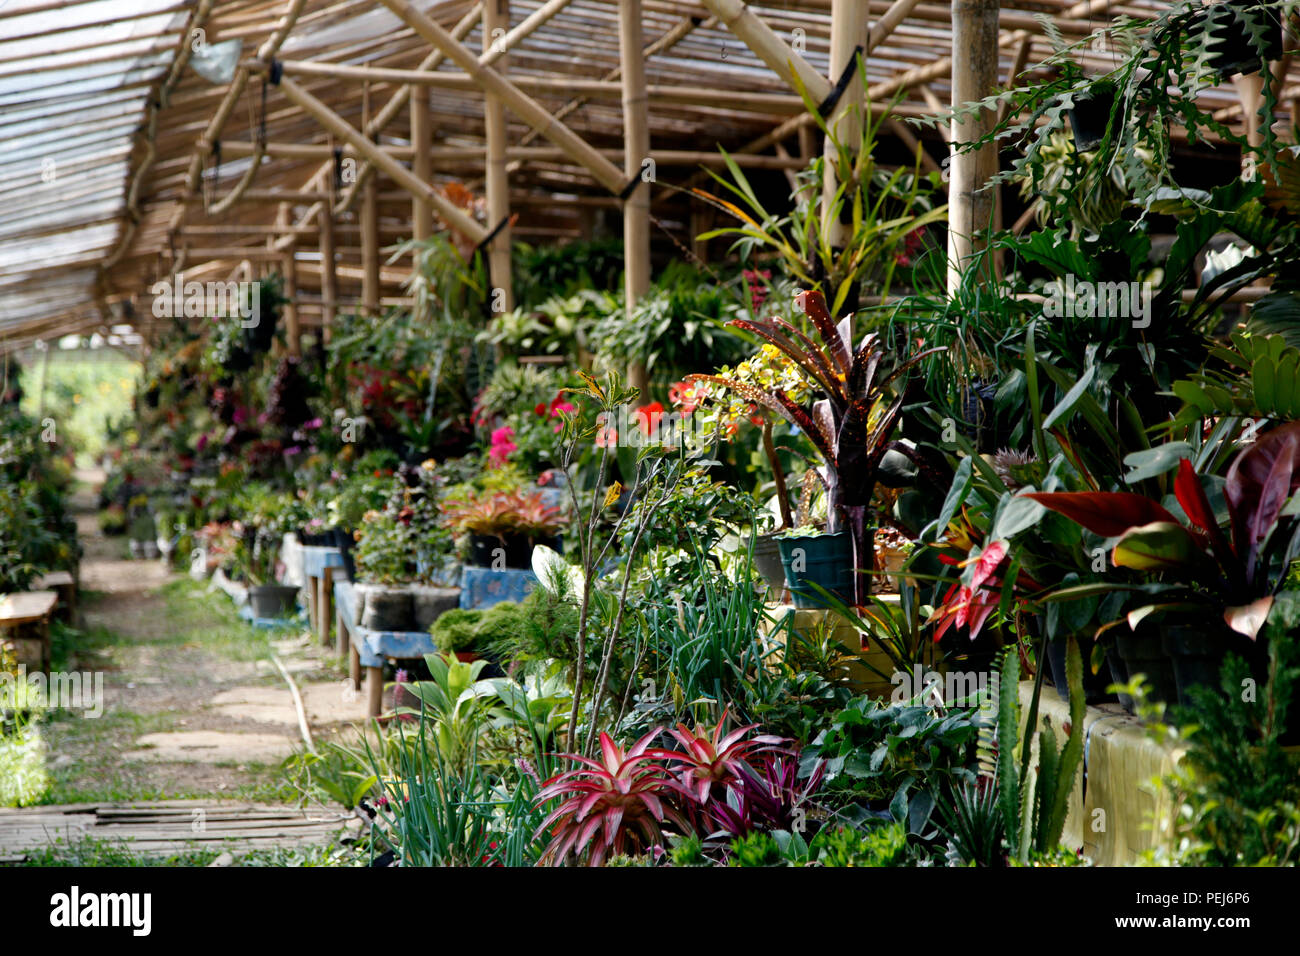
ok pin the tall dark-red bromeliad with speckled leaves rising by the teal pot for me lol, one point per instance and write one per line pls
(851, 426)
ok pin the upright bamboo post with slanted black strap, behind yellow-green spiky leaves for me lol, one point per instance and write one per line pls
(850, 25)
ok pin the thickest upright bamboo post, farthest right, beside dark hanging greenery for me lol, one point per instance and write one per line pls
(970, 209)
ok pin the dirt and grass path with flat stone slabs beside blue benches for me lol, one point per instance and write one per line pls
(193, 706)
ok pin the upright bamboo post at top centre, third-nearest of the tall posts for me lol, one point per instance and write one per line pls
(636, 150)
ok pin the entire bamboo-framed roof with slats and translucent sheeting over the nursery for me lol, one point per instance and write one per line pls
(167, 170)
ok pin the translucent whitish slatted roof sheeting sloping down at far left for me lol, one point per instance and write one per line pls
(75, 80)
